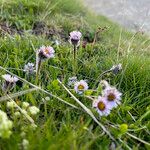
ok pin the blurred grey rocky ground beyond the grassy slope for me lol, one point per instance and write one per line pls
(133, 14)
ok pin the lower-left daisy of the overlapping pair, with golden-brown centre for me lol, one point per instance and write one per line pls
(101, 106)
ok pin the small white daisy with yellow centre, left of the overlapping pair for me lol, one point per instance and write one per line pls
(80, 86)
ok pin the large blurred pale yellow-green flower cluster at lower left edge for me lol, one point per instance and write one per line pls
(5, 125)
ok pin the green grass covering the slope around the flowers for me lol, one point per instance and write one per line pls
(61, 126)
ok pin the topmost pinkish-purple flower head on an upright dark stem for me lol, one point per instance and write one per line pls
(75, 37)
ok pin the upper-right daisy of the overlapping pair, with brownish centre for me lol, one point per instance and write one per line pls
(112, 95)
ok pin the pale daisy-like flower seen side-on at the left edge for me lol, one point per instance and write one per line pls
(10, 82)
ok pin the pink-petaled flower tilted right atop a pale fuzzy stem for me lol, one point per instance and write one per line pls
(46, 52)
